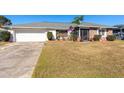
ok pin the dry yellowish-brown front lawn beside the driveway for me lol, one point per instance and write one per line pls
(77, 59)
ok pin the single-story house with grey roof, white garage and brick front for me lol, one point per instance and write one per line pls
(37, 32)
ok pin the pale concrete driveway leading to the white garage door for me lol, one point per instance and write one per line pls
(19, 59)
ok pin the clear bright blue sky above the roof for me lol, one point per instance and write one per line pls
(100, 19)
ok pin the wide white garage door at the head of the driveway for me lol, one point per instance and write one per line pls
(30, 36)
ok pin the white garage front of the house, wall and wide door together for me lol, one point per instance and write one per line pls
(30, 34)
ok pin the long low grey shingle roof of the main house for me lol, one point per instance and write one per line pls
(60, 25)
